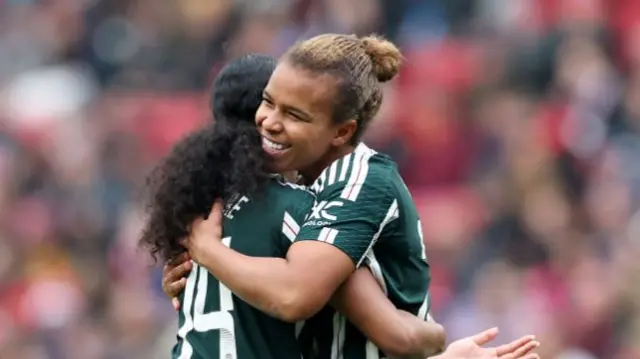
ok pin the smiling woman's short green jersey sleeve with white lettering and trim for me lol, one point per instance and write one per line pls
(350, 215)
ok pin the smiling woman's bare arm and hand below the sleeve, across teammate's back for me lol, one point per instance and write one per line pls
(291, 289)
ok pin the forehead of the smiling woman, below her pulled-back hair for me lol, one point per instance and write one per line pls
(294, 86)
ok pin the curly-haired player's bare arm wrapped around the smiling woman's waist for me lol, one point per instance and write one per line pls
(397, 333)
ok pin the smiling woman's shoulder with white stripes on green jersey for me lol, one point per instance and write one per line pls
(364, 168)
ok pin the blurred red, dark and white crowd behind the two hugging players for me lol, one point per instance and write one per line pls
(516, 124)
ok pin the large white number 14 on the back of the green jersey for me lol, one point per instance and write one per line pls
(221, 320)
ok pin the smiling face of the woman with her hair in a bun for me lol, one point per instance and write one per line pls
(296, 123)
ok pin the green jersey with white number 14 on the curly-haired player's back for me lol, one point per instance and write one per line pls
(213, 322)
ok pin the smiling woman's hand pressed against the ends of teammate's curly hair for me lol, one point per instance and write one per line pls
(203, 231)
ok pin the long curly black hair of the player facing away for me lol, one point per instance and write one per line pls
(218, 161)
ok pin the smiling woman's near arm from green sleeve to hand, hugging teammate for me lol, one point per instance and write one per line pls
(328, 248)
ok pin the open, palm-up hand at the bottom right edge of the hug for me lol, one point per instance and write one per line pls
(471, 348)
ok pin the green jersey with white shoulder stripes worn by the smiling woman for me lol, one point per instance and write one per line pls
(364, 208)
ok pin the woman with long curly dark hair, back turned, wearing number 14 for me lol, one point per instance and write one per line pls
(226, 160)
